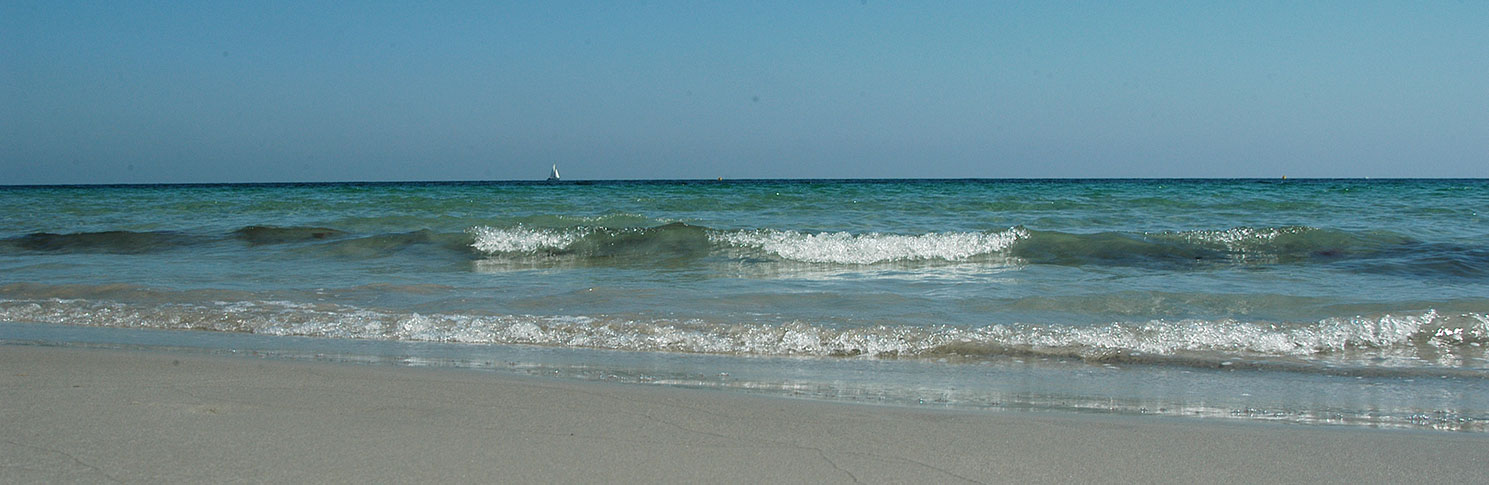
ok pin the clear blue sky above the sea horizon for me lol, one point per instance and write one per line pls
(349, 91)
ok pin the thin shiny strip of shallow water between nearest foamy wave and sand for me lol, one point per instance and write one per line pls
(1383, 402)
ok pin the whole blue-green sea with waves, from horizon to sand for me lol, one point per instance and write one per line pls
(1314, 303)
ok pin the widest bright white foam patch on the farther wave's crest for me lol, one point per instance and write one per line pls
(867, 249)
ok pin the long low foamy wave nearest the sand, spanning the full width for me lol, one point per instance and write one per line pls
(1427, 343)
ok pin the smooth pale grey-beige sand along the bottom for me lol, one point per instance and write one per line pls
(154, 416)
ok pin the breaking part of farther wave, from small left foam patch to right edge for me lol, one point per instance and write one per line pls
(1369, 252)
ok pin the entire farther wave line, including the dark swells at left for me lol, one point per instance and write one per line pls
(1380, 252)
